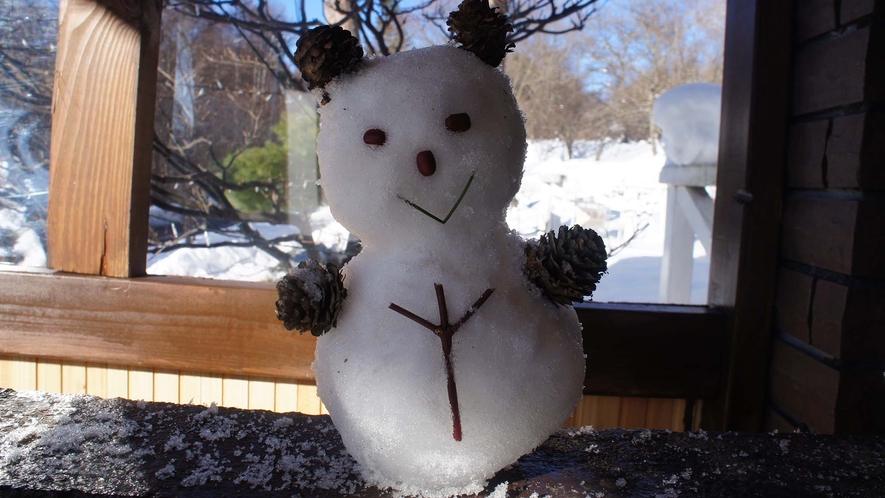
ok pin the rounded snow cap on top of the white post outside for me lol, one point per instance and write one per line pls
(688, 116)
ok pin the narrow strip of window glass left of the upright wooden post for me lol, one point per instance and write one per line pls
(28, 35)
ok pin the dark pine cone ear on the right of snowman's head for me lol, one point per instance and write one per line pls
(482, 30)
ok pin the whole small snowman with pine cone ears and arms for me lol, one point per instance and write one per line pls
(448, 347)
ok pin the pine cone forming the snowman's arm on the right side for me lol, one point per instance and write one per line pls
(568, 266)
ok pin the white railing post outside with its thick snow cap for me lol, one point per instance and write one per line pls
(688, 116)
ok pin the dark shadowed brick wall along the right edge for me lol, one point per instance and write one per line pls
(827, 369)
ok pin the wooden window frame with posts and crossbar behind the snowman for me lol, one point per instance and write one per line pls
(96, 303)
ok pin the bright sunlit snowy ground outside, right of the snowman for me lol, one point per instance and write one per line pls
(624, 182)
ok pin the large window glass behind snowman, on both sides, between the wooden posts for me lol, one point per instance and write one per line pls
(234, 184)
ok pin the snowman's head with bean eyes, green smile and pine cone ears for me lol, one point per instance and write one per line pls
(426, 145)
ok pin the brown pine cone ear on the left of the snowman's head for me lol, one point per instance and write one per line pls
(324, 53)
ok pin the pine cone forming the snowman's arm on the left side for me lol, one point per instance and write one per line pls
(311, 296)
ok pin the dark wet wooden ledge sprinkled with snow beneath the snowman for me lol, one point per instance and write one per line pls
(78, 445)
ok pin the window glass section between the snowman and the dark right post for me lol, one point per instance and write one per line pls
(623, 121)
